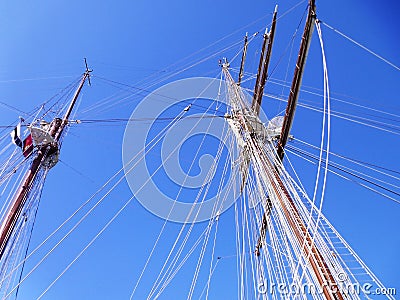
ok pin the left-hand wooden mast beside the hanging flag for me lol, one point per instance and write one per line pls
(44, 151)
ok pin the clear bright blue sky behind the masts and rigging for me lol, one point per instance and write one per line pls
(43, 45)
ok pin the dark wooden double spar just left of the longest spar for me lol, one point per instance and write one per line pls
(263, 66)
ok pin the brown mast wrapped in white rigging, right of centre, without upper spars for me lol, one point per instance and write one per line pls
(283, 198)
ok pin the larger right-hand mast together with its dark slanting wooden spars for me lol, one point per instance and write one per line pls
(248, 121)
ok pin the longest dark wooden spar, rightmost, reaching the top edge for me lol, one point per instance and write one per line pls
(297, 78)
